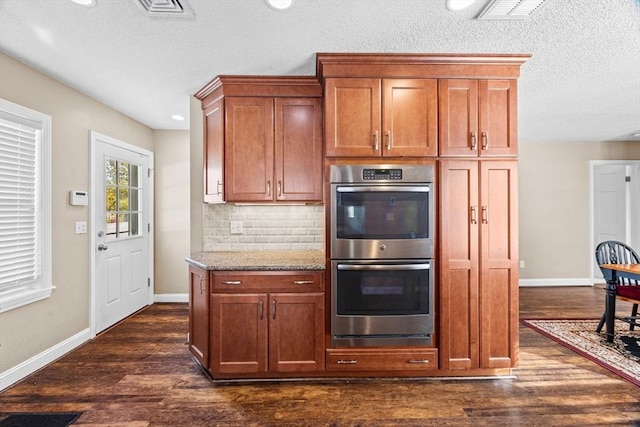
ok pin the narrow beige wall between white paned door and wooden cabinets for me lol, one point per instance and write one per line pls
(171, 225)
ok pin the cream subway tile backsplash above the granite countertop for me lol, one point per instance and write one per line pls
(265, 227)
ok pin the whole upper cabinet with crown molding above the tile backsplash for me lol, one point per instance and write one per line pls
(263, 139)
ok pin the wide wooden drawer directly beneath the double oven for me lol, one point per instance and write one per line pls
(359, 360)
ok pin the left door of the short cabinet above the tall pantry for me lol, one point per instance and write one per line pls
(458, 117)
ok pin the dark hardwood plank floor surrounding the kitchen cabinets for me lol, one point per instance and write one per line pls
(140, 373)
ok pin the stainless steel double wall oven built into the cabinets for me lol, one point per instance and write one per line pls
(382, 221)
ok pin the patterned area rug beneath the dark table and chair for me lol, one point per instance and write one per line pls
(621, 357)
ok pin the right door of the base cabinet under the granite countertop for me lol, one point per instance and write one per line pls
(296, 332)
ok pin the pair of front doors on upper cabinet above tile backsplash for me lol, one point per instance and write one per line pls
(273, 149)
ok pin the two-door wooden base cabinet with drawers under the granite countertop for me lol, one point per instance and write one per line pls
(261, 332)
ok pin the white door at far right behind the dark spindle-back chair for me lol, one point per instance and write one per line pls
(610, 204)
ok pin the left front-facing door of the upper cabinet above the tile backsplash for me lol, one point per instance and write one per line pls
(249, 149)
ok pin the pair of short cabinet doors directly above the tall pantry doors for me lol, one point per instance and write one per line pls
(477, 118)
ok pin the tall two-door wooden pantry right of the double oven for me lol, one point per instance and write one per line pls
(478, 291)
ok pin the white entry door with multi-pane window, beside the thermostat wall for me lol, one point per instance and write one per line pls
(121, 242)
